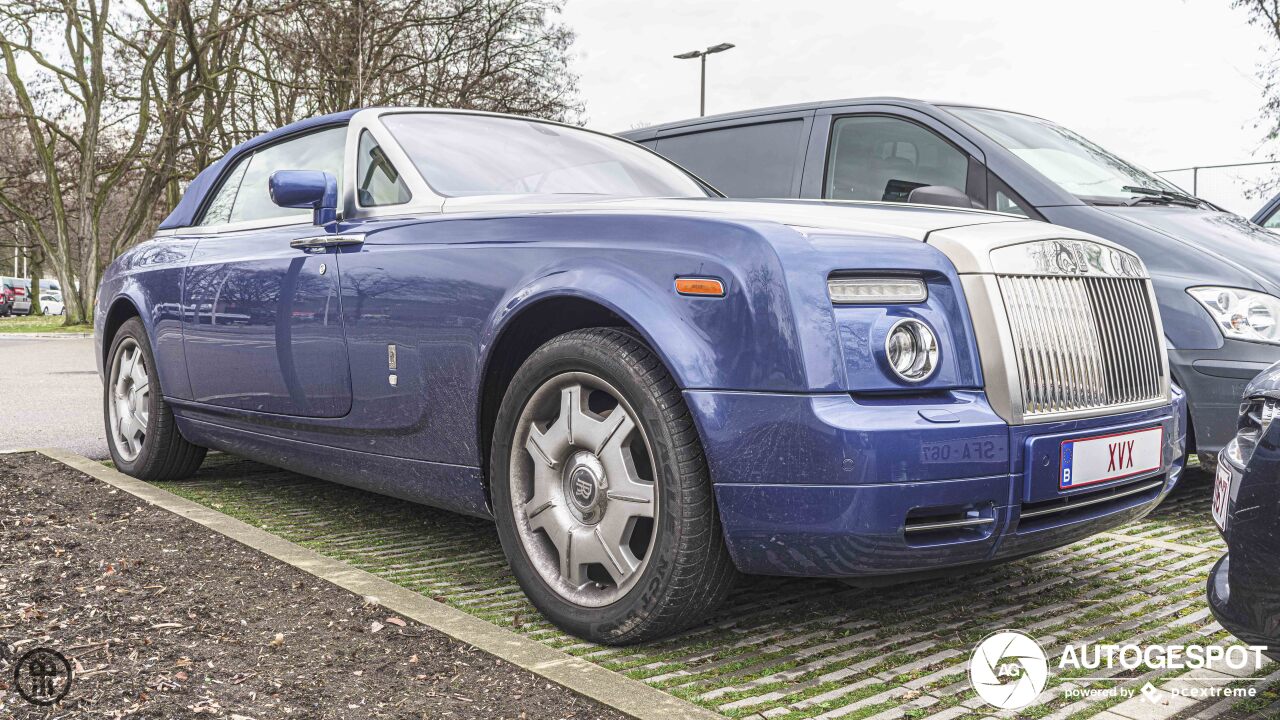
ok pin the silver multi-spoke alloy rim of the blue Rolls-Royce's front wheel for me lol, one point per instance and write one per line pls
(583, 490)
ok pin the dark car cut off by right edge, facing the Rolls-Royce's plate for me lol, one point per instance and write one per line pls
(1244, 585)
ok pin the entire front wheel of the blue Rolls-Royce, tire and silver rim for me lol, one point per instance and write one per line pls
(602, 495)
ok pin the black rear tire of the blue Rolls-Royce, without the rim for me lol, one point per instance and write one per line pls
(164, 454)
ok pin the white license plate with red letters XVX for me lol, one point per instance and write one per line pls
(1110, 458)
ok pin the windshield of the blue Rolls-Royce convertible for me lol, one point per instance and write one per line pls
(460, 154)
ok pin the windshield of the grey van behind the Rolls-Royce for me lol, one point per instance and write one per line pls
(1072, 162)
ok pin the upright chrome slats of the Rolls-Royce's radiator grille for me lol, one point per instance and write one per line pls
(1084, 343)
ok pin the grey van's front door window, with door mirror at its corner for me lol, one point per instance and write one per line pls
(881, 158)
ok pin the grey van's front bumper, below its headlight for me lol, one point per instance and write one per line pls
(1214, 381)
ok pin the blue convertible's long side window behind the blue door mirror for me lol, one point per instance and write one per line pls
(245, 195)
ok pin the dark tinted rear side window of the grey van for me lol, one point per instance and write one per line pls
(756, 161)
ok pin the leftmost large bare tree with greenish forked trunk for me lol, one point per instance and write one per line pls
(102, 95)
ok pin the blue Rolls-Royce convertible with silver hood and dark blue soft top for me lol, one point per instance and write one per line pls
(647, 386)
